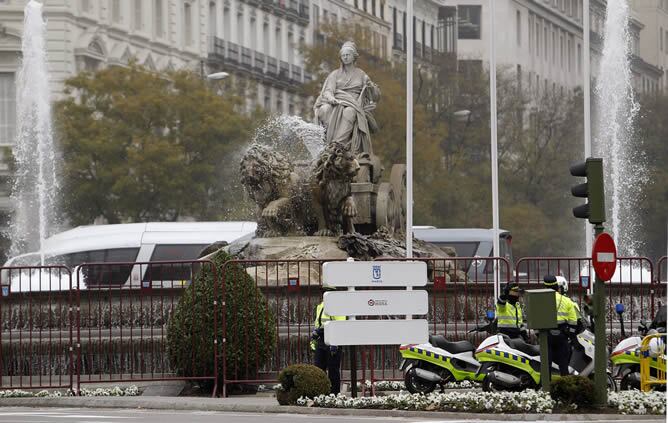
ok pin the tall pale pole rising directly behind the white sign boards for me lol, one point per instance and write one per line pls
(409, 128)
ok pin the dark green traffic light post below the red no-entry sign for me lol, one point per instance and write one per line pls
(600, 353)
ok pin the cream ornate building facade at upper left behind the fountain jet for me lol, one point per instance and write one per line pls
(89, 34)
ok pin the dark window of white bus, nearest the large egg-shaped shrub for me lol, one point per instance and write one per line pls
(172, 272)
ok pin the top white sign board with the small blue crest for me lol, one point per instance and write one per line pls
(374, 273)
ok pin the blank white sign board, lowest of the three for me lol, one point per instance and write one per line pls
(376, 332)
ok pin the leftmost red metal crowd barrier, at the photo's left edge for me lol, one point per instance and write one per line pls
(37, 327)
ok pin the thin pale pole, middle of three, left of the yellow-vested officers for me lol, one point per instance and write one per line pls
(492, 125)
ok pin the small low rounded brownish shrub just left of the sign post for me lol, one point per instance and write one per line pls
(301, 380)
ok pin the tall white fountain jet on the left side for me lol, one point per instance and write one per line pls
(35, 184)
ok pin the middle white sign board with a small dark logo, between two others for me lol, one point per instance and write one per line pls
(375, 303)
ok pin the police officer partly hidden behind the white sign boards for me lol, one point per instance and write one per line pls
(327, 357)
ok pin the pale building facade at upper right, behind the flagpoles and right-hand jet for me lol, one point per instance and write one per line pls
(543, 40)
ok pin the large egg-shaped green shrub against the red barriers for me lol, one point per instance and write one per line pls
(251, 325)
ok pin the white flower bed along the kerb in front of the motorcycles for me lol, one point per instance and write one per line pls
(529, 401)
